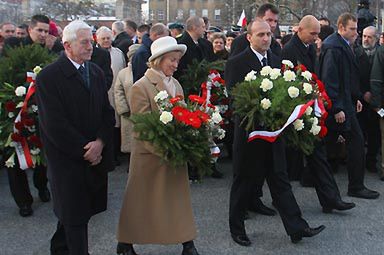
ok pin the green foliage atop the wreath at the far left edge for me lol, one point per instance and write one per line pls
(17, 61)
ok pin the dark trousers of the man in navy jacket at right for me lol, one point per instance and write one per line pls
(355, 153)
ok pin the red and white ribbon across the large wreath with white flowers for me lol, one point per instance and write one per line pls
(271, 136)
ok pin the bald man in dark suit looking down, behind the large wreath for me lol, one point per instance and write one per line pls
(301, 50)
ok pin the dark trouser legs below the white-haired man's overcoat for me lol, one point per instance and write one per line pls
(70, 240)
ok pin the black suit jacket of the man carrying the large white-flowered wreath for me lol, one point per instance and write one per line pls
(246, 155)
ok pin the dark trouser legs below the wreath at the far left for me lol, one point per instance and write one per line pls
(18, 183)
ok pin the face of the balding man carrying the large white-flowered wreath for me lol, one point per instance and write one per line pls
(261, 36)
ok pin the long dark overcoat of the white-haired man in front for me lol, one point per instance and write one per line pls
(70, 116)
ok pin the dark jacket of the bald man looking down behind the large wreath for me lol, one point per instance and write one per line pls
(297, 53)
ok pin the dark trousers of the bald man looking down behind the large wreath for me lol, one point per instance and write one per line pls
(320, 172)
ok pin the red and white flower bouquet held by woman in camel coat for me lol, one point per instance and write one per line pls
(181, 131)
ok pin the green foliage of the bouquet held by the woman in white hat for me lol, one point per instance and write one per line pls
(185, 145)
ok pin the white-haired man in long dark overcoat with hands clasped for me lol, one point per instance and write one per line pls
(76, 126)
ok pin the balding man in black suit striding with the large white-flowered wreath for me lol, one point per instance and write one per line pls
(255, 161)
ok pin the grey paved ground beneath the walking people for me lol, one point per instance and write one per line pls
(359, 231)
